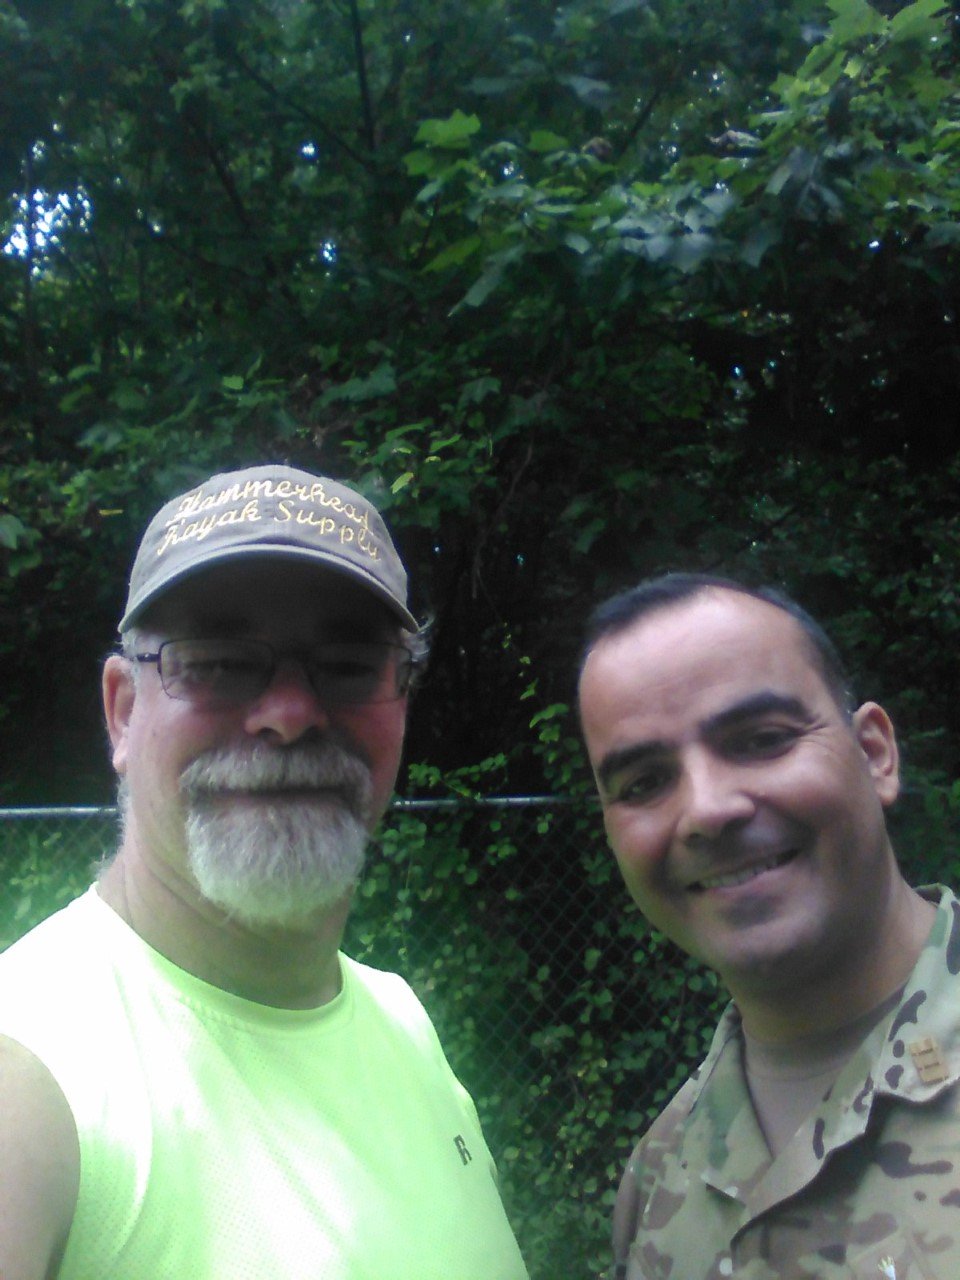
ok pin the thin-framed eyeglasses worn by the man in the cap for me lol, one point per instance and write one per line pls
(214, 675)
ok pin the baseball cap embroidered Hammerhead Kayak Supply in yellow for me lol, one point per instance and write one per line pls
(269, 510)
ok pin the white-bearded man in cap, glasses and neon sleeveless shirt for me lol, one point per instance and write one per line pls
(195, 1082)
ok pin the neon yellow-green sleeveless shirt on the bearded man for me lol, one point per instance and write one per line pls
(223, 1140)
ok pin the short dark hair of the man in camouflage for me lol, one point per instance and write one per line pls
(621, 611)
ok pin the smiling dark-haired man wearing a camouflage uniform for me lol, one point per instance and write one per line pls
(744, 798)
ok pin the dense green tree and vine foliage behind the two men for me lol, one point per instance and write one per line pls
(575, 295)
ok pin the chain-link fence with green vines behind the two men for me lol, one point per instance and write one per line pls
(566, 1020)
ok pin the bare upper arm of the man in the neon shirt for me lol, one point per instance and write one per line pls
(39, 1167)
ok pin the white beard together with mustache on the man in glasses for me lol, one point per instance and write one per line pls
(277, 862)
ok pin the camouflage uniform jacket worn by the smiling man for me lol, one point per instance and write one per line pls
(870, 1186)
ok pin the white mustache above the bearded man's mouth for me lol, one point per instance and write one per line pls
(264, 769)
